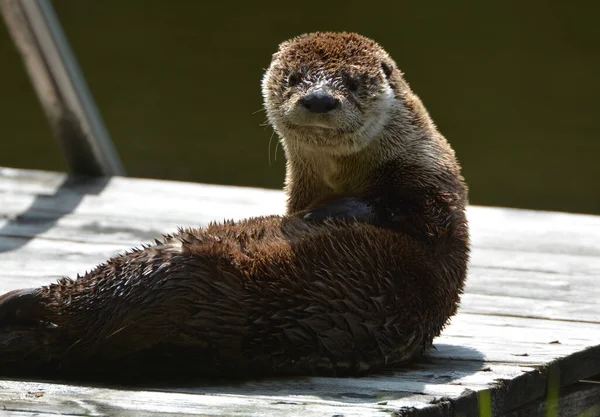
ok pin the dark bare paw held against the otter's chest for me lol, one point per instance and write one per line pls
(346, 208)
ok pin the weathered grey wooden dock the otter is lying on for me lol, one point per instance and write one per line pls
(526, 341)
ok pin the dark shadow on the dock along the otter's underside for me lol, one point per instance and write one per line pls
(438, 377)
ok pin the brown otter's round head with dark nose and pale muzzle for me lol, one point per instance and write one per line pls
(330, 92)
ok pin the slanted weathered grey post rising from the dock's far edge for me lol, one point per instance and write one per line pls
(61, 87)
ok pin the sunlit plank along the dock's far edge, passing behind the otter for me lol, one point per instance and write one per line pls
(520, 230)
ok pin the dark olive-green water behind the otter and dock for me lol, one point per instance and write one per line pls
(513, 85)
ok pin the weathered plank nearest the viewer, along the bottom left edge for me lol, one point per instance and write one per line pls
(104, 401)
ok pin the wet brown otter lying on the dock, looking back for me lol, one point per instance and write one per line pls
(362, 272)
